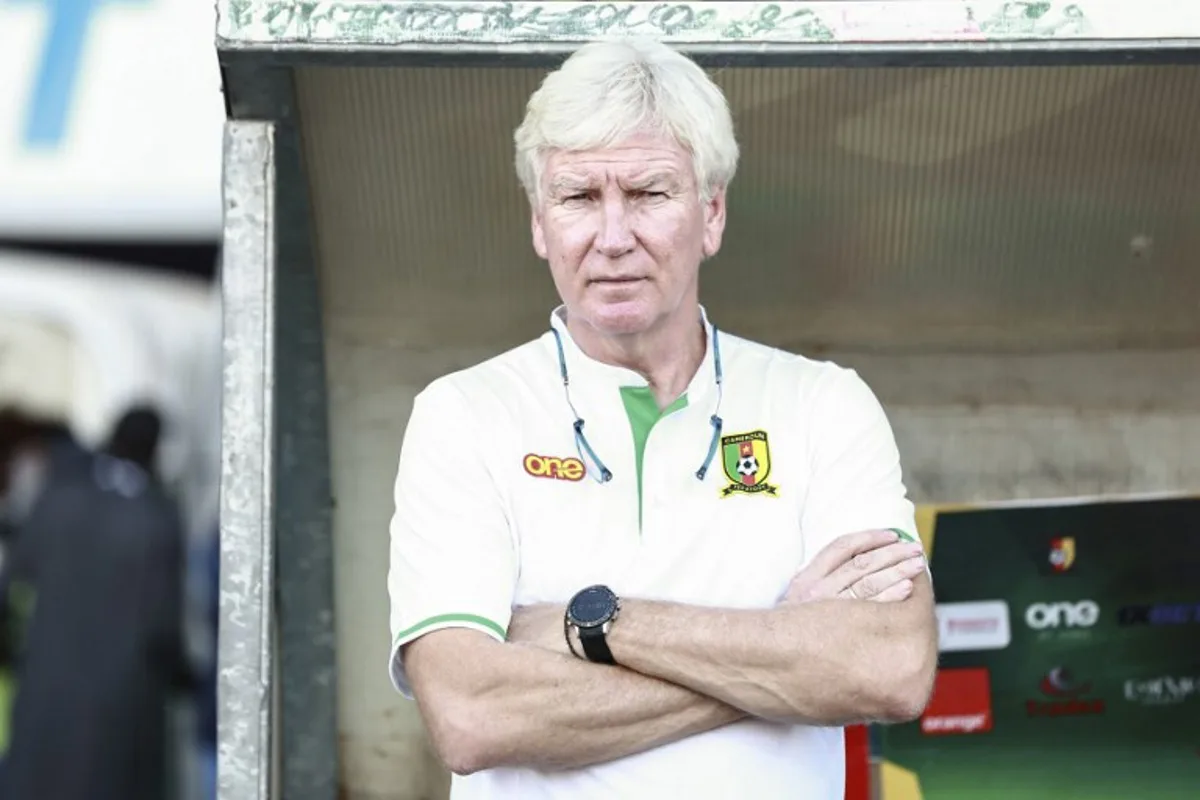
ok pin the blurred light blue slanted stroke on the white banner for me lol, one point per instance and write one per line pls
(58, 71)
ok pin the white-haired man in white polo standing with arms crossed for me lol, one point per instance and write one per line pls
(638, 557)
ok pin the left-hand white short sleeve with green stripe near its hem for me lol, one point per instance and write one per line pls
(453, 561)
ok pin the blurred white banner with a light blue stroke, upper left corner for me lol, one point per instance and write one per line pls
(111, 121)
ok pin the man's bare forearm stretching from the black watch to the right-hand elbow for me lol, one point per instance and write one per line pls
(830, 663)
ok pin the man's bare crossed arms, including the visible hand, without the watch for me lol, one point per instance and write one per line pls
(819, 658)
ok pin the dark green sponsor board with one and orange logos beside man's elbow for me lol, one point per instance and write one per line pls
(1070, 640)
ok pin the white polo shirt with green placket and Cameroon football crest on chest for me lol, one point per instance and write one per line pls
(496, 508)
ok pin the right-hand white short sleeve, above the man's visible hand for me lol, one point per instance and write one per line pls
(855, 479)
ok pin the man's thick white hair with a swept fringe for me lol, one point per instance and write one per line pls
(611, 91)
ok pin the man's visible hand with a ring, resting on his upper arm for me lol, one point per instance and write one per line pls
(874, 566)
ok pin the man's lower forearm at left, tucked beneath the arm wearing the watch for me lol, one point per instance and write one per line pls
(535, 708)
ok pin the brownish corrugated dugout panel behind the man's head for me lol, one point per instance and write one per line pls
(886, 209)
